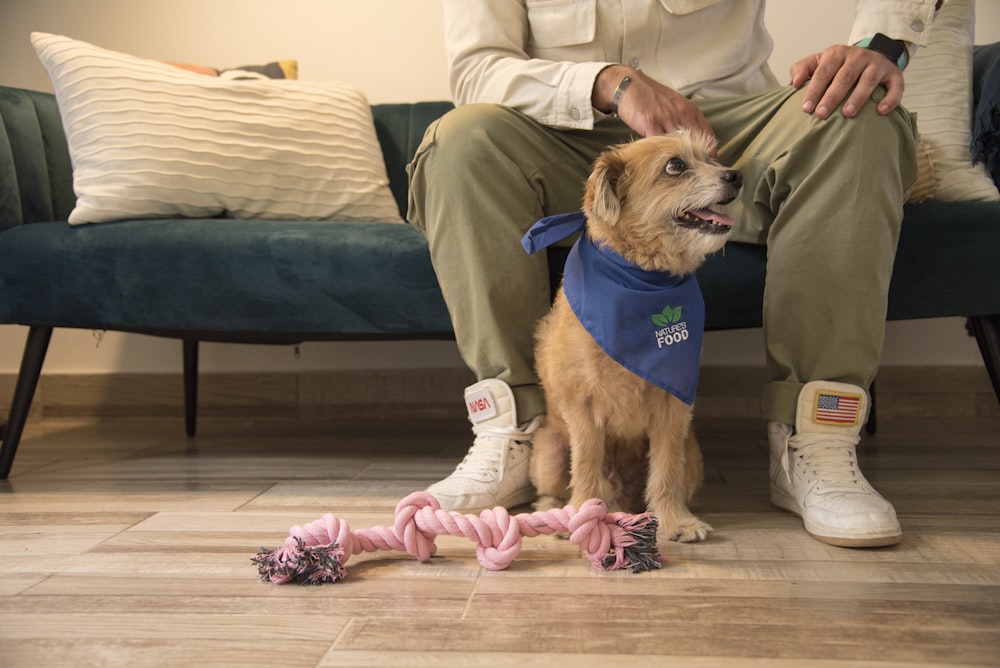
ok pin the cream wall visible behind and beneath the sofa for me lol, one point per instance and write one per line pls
(393, 50)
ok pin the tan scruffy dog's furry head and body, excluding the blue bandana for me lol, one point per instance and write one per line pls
(608, 433)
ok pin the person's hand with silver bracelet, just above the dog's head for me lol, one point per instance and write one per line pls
(647, 106)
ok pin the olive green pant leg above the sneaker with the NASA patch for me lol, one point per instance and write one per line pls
(482, 176)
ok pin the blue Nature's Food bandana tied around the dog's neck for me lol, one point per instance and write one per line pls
(650, 322)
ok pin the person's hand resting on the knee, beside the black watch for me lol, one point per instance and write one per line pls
(833, 72)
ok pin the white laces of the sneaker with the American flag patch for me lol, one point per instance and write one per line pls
(829, 459)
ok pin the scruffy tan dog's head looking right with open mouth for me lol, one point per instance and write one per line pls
(656, 201)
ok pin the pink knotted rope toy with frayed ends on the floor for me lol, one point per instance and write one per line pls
(317, 552)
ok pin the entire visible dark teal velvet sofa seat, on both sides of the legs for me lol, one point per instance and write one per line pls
(288, 281)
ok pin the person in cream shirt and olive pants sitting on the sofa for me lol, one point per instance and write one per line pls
(542, 88)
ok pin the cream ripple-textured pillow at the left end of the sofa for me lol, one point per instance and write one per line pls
(149, 140)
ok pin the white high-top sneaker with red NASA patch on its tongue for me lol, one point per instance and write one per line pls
(495, 470)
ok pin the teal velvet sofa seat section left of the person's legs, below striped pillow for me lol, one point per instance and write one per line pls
(220, 278)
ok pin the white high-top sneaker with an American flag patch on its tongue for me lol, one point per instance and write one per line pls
(815, 473)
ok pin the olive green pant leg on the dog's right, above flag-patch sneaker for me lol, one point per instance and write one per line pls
(826, 198)
